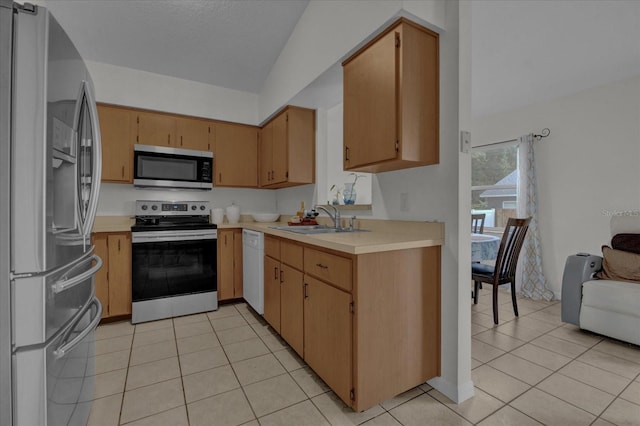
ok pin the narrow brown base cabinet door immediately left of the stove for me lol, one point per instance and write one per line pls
(119, 274)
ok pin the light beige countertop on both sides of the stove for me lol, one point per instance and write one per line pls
(384, 235)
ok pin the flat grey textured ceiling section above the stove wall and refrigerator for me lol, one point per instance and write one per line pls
(227, 43)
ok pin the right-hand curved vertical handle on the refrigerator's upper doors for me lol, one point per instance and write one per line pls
(96, 152)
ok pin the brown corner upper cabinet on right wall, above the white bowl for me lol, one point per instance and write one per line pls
(287, 149)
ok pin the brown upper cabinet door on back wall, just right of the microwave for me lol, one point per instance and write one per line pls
(236, 155)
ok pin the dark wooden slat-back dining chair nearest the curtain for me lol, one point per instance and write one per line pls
(504, 271)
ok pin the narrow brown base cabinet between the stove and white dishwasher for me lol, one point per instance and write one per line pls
(229, 264)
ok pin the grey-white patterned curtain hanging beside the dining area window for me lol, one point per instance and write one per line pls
(533, 282)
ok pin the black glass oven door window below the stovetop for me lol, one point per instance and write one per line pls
(173, 268)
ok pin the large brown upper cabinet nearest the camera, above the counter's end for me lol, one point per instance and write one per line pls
(391, 101)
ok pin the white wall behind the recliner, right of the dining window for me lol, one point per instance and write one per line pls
(587, 168)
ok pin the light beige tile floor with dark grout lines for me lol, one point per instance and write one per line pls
(229, 368)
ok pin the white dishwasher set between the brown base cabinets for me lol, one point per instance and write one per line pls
(253, 269)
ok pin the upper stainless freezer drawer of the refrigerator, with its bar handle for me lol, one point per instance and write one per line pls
(43, 304)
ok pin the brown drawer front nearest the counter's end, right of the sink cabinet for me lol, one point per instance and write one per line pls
(328, 267)
